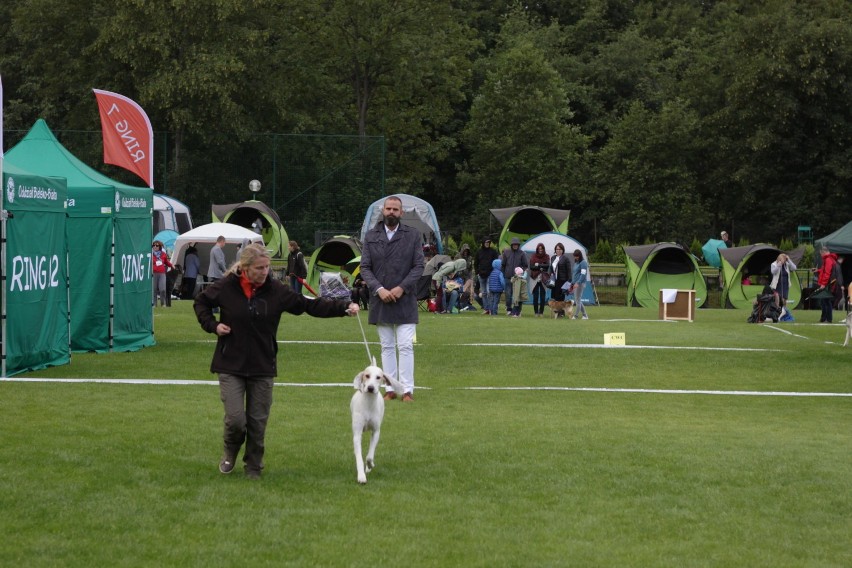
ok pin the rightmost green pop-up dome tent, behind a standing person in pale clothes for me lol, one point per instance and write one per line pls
(753, 262)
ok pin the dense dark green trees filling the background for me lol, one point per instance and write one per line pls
(651, 120)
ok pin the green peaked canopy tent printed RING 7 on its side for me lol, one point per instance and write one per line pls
(106, 288)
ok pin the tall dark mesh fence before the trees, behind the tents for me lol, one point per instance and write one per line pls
(319, 185)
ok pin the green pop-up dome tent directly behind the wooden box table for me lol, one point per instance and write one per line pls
(651, 268)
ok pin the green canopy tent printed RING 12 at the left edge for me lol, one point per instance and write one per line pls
(35, 285)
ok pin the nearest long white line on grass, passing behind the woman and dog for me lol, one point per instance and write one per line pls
(186, 382)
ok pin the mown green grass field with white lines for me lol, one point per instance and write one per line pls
(713, 443)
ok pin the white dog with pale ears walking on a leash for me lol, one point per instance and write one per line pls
(368, 409)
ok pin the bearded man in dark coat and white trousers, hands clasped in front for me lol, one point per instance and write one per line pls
(391, 265)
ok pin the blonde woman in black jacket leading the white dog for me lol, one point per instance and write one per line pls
(251, 303)
